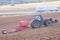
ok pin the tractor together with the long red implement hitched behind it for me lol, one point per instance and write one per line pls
(36, 23)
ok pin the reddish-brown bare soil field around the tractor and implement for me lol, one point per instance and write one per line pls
(43, 33)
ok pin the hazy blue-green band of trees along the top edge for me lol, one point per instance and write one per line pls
(13, 2)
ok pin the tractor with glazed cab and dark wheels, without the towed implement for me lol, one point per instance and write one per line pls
(39, 21)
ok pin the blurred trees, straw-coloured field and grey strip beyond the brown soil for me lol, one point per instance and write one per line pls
(25, 6)
